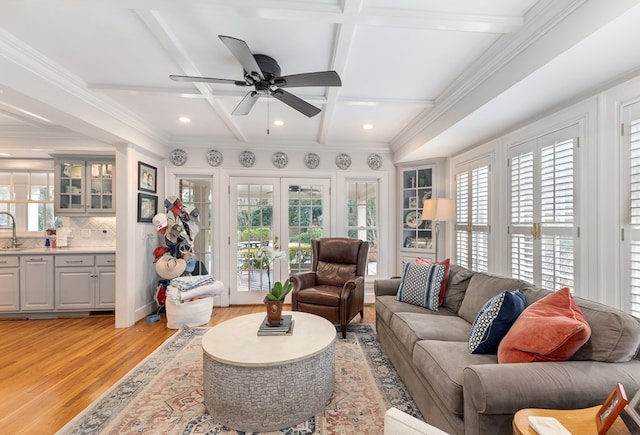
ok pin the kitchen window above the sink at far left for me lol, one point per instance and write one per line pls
(28, 196)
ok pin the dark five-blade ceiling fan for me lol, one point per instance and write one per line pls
(263, 74)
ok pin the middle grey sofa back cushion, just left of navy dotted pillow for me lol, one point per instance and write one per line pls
(483, 287)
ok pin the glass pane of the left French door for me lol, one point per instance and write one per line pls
(255, 229)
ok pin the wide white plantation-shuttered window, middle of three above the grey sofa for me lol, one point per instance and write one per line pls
(543, 231)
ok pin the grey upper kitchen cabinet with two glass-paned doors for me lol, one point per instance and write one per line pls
(84, 187)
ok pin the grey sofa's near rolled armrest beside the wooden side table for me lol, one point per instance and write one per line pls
(507, 388)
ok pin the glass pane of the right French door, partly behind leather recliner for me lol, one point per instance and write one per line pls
(305, 223)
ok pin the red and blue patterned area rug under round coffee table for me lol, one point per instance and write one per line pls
(163, 394)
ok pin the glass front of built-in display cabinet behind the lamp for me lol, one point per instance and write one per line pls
(417, 234)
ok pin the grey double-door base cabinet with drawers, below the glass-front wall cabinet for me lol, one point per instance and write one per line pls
(85, 282)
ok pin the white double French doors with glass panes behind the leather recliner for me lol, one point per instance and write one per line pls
(277, 213)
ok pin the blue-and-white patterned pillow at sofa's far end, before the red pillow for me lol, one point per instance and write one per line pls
(421, 285)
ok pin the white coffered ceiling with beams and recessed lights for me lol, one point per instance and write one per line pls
(432, 77)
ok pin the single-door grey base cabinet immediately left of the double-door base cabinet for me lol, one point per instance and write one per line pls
(36, 283)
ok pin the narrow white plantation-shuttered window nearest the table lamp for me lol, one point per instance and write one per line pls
(472, 215)
